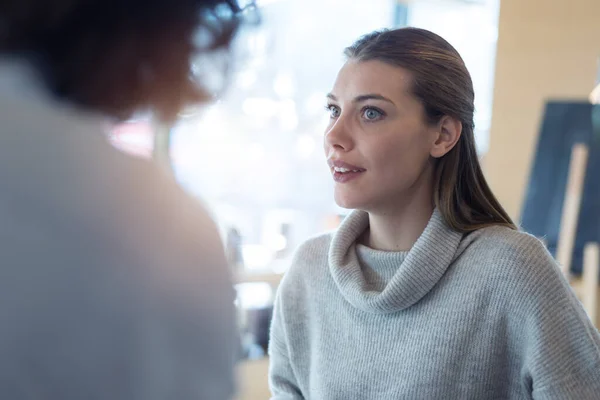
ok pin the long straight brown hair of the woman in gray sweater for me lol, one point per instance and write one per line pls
(444, 87)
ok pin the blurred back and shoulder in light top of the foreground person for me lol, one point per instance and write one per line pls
(113, 281)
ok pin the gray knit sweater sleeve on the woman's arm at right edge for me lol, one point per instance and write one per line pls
(562, 346)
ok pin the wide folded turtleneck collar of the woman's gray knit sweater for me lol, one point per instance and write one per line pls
(417, 271)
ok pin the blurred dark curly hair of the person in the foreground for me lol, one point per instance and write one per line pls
(118, 56)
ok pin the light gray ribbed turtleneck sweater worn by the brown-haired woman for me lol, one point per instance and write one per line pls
(486, 315)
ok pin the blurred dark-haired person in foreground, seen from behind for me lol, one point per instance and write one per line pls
(113, 282)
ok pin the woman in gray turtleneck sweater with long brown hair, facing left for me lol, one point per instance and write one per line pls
(427, 290)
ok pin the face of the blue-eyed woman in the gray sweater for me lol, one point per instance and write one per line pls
(377, 143)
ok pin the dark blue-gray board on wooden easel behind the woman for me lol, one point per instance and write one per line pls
(563, 125)
